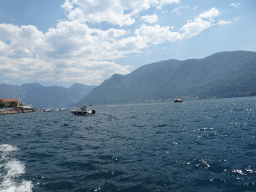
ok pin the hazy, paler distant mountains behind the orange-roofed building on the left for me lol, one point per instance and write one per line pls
(42, 97)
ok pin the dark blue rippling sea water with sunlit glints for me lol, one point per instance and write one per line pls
(196, 145)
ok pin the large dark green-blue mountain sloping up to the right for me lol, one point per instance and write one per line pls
(224, 74)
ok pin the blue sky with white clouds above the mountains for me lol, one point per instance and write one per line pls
(62, 42)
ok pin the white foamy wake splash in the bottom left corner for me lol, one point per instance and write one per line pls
(10, 171)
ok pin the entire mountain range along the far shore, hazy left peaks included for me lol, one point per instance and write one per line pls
(224, 74)
